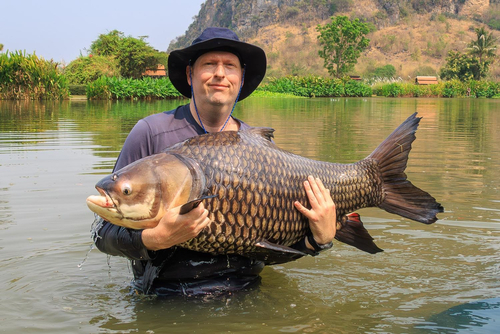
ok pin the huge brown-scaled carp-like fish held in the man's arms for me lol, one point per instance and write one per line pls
(249, 185)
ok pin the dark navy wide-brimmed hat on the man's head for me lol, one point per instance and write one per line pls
(212, 39)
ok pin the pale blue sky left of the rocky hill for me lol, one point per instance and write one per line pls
(63, 29)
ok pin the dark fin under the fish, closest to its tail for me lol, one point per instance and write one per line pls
(352, 232)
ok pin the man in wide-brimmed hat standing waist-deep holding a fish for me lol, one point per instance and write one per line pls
(216, 71)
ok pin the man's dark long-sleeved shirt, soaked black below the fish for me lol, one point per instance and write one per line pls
(175, 270)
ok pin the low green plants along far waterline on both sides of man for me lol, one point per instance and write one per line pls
(150, 89)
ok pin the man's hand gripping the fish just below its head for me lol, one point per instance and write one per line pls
(175, 228)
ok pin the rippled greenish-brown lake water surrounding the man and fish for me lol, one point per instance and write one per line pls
(442, 278)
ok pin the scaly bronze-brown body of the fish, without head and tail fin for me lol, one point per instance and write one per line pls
(260, 171)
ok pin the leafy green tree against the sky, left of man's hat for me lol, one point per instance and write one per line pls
(133, 55)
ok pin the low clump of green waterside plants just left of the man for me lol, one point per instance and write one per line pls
(121, 88)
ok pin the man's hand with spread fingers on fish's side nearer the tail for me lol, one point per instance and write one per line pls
(322, 215)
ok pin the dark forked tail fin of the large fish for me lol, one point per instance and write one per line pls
(400, 195)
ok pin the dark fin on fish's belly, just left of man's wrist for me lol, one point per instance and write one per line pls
(271, 253)
